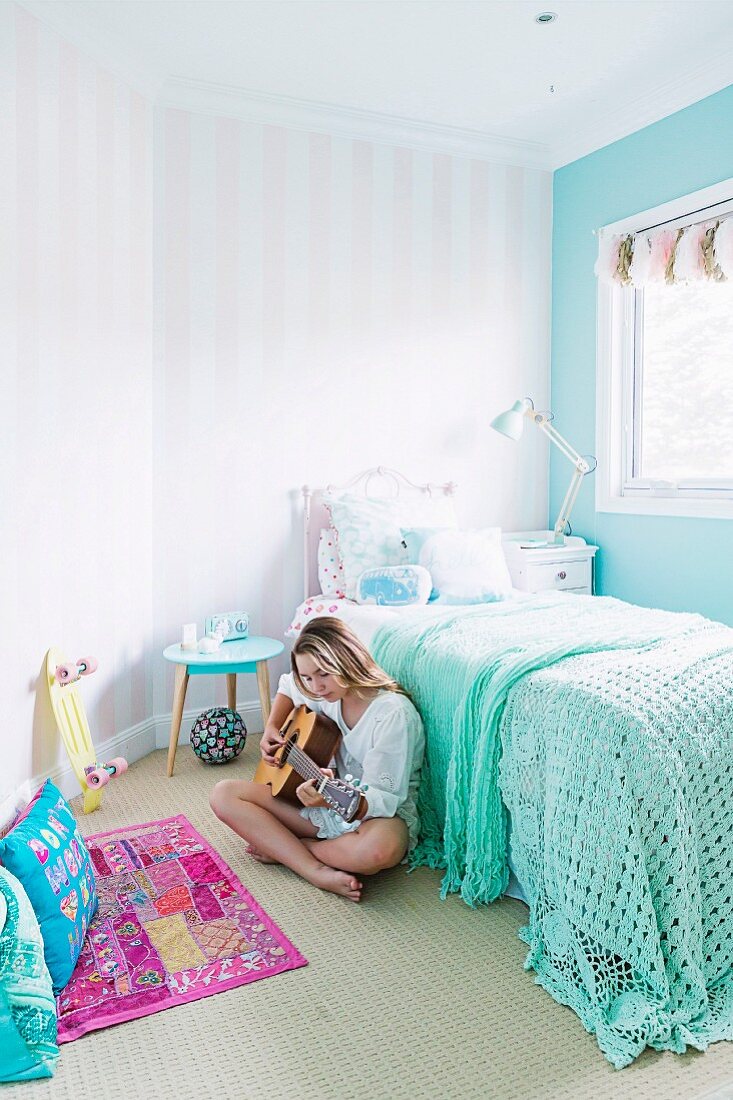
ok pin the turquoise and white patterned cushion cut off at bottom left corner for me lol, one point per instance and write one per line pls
(28, 1008)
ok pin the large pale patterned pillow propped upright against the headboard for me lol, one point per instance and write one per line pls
(369, 529)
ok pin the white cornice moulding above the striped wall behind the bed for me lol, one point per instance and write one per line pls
(349, 123)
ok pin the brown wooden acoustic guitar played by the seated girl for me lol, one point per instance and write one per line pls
(310, 742)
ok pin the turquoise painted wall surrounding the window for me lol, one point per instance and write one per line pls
(684, 565)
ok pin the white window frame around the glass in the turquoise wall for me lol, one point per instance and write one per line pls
(619, 348)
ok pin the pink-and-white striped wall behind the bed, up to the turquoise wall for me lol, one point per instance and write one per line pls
(324, 305)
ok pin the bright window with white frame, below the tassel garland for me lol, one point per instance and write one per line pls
(665, 383)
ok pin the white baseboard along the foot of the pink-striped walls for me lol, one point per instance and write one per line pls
(137, 742)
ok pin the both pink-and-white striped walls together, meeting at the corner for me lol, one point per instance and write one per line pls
(199, 315)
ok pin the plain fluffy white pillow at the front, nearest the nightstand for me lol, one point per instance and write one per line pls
(466, 567)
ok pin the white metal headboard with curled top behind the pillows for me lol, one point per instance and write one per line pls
(378, 482)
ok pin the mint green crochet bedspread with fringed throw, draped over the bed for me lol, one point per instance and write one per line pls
(607, 731)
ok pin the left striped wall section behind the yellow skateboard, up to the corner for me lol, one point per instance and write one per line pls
(76, 405)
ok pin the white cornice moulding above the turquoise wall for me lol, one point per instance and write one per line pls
(660, 103)
